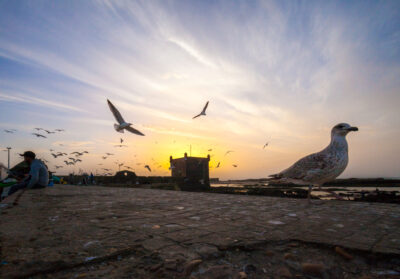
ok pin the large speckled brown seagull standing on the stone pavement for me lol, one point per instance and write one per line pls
(320, 167)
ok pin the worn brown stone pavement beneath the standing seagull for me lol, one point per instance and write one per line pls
(99, 232)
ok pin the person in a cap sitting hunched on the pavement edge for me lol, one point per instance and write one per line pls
(38, 174)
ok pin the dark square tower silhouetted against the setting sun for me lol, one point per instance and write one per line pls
(192, 173)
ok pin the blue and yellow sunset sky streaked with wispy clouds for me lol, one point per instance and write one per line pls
(282, 72)
